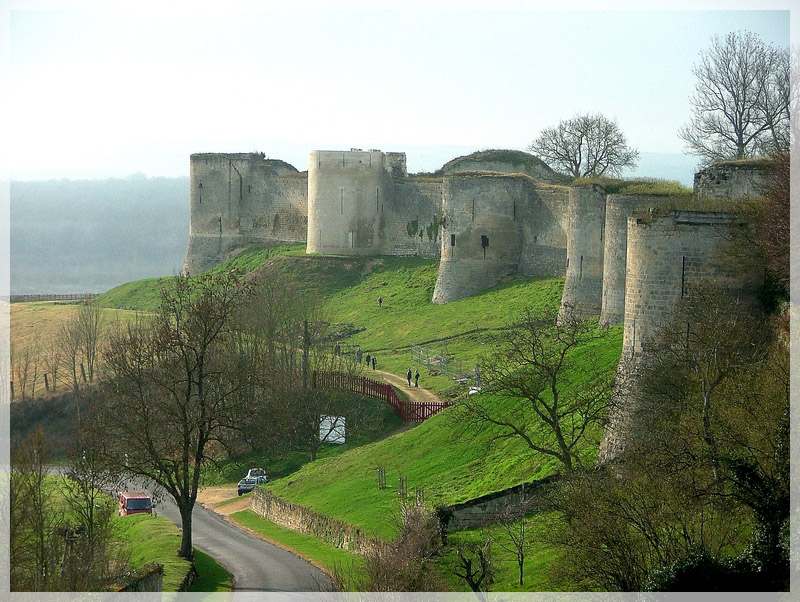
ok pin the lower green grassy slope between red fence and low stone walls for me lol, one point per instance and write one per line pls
(450, 465)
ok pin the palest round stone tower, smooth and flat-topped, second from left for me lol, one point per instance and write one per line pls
(345, 195)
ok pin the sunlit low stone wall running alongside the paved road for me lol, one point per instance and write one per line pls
(298, 518)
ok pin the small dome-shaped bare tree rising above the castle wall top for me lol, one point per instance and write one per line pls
(585, 146)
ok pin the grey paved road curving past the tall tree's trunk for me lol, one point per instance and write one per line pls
(255, 564)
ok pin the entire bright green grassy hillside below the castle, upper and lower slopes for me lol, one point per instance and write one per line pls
(450, 465)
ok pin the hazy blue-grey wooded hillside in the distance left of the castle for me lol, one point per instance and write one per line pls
(92, 235)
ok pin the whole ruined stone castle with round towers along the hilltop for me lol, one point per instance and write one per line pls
(487, 216)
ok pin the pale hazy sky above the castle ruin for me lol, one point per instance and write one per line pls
(97, 94)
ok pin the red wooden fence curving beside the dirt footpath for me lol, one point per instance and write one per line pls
(416, 411)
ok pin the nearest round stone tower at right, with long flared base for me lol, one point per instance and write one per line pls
(667, 255)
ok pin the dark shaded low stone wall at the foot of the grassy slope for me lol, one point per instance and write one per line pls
(489, 508)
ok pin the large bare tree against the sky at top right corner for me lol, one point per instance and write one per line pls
(741, 100)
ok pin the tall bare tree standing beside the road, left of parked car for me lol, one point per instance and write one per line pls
(179, 388)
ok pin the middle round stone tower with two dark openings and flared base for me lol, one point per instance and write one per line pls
(480, 234)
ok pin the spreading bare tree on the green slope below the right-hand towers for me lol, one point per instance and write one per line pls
(531, 365)
